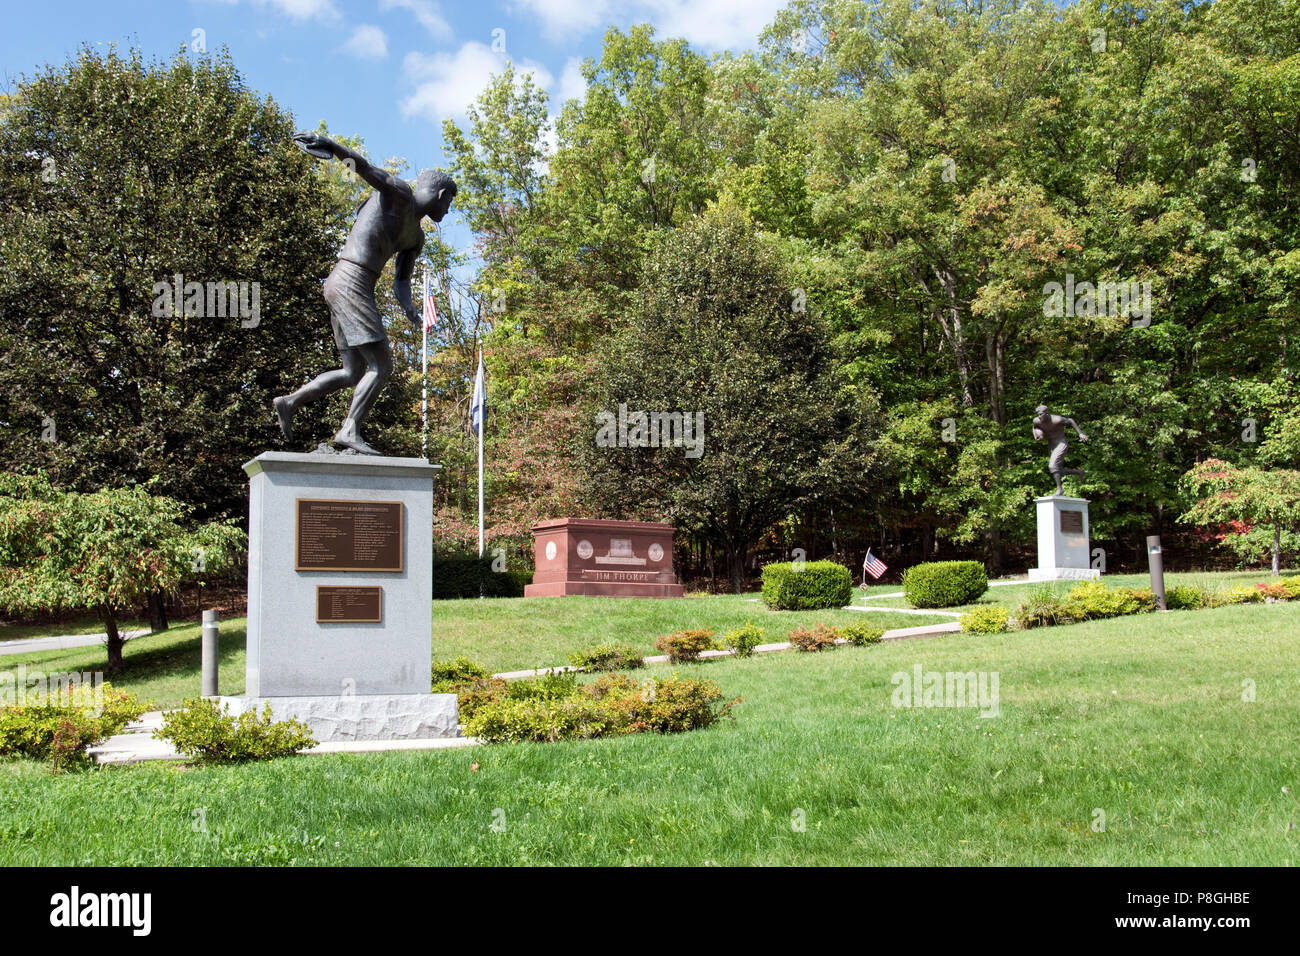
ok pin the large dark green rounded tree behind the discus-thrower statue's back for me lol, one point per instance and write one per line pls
(116, 176)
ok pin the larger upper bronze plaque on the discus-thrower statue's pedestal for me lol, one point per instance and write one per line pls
(349, 535)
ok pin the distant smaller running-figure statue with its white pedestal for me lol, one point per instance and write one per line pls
(1065, 551)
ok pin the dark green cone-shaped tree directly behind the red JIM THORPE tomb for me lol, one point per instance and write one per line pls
(720, 340)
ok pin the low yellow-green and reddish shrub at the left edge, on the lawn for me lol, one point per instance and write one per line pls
(59, 729)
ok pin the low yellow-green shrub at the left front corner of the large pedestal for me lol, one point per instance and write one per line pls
(202, 732)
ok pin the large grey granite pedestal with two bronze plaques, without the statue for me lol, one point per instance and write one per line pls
(340, 596)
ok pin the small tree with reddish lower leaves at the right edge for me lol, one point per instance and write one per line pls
(1245, 498)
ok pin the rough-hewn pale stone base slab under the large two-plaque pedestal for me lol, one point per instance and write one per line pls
(363, 717)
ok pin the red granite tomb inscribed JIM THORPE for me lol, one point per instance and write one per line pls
(583, 556)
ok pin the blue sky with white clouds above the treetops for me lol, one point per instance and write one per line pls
(388, 71)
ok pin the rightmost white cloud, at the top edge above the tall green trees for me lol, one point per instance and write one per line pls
(707, 24)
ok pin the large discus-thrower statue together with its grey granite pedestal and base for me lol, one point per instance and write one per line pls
(340, 542)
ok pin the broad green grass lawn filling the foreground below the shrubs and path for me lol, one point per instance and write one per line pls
(1142, 719)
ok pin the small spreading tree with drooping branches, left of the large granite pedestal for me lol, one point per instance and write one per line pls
(106, 551)
